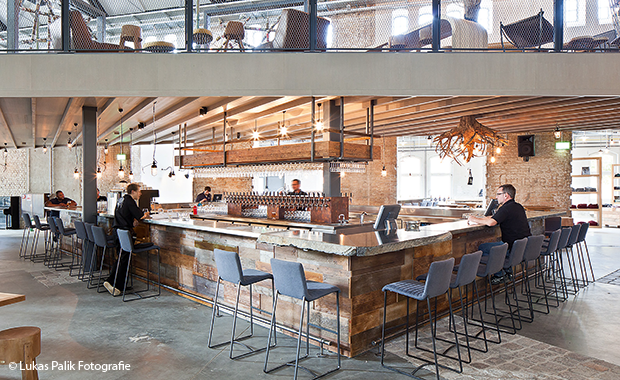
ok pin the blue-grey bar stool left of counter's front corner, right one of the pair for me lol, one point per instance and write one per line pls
(290, 280)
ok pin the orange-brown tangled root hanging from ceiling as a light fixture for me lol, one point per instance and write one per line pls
(468, 140)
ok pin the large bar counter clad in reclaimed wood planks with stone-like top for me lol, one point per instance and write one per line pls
(360, 264)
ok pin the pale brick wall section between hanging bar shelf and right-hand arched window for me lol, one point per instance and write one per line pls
(371, 188)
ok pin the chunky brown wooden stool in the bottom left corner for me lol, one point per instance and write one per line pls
(21, 344)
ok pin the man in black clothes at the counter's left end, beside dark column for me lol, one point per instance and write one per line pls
(126, 216)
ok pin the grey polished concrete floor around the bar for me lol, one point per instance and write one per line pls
(166, 337)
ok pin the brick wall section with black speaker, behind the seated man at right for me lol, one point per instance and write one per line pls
(543, 181)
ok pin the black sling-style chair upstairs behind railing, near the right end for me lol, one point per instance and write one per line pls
(531, 32)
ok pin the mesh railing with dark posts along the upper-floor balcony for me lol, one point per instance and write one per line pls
(308, 25)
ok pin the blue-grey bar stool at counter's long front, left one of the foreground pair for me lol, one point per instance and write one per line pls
(229, 269)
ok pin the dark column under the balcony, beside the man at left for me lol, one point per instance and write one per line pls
(89, 164)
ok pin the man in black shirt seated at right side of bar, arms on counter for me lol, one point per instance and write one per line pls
(512, 221)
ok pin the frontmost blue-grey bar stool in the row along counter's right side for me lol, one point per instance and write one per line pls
(437, 284)
